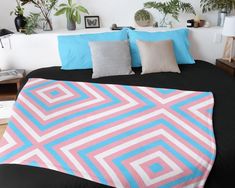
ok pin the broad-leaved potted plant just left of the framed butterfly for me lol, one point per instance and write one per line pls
(73, 13)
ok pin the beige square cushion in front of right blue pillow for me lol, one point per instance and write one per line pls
(157, 57)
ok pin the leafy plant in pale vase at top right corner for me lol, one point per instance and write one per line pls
(223, 6)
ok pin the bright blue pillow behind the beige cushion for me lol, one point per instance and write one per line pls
(180, 43)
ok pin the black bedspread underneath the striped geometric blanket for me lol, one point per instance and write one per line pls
(199, 77)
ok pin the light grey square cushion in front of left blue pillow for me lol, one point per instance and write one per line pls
(110, 58)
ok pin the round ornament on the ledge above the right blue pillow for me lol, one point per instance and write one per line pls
(143, 18)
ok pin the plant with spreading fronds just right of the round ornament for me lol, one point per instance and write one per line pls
(172, 7)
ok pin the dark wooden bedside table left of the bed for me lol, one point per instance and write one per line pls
(10, 88)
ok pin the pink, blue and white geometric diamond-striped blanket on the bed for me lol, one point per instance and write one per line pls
(122, 136)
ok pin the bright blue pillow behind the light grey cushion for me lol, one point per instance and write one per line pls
(75, 52)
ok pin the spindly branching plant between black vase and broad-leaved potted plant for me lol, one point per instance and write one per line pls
(45, 7)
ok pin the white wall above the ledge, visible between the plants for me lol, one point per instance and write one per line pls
(110, 11)
